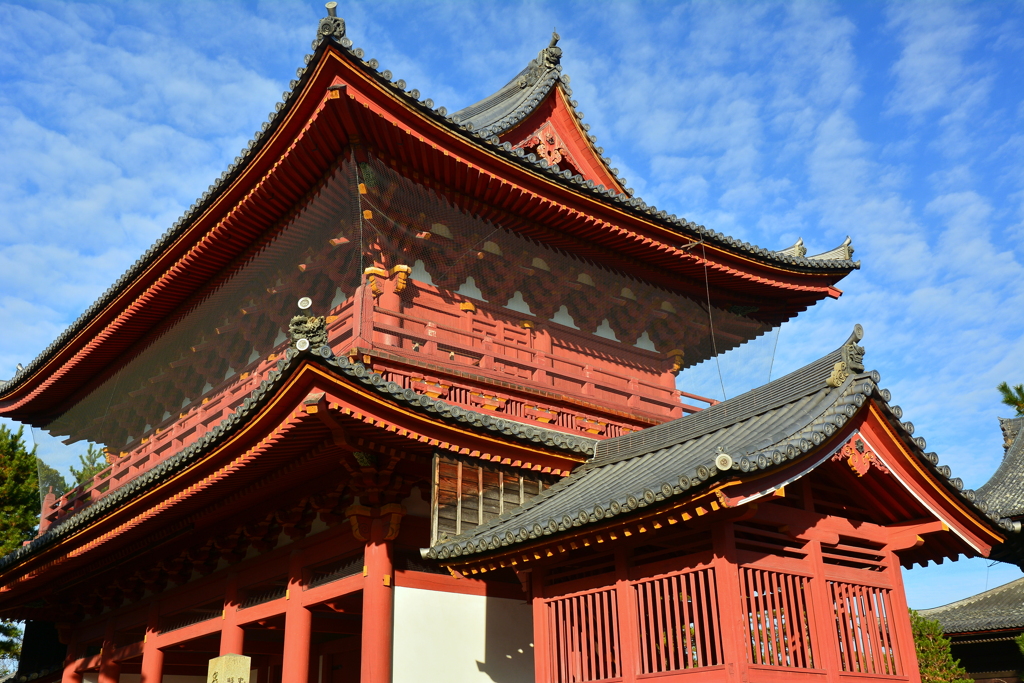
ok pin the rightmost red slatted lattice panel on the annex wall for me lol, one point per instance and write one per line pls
(865, 630)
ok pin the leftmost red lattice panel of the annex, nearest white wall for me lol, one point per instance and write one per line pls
(585, 637)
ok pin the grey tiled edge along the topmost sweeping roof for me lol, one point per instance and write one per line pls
(331, 33)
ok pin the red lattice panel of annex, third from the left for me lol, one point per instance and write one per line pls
(779, 632)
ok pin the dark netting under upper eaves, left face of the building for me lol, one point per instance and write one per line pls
(238, 320)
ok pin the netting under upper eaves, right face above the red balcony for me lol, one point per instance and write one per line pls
(407, 224)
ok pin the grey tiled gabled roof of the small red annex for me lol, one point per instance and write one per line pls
(763, 430)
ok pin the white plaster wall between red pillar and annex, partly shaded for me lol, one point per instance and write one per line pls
(450, 638)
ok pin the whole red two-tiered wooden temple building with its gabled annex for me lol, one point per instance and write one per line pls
(396, 401)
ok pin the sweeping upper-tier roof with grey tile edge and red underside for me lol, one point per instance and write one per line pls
(374, 104)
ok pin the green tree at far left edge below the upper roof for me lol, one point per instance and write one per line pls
(19, 491)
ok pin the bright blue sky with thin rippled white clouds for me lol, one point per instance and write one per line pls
(901, 125)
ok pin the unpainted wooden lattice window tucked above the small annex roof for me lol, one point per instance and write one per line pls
(468, 494)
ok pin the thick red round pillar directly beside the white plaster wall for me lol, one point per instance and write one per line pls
(378, 607)
